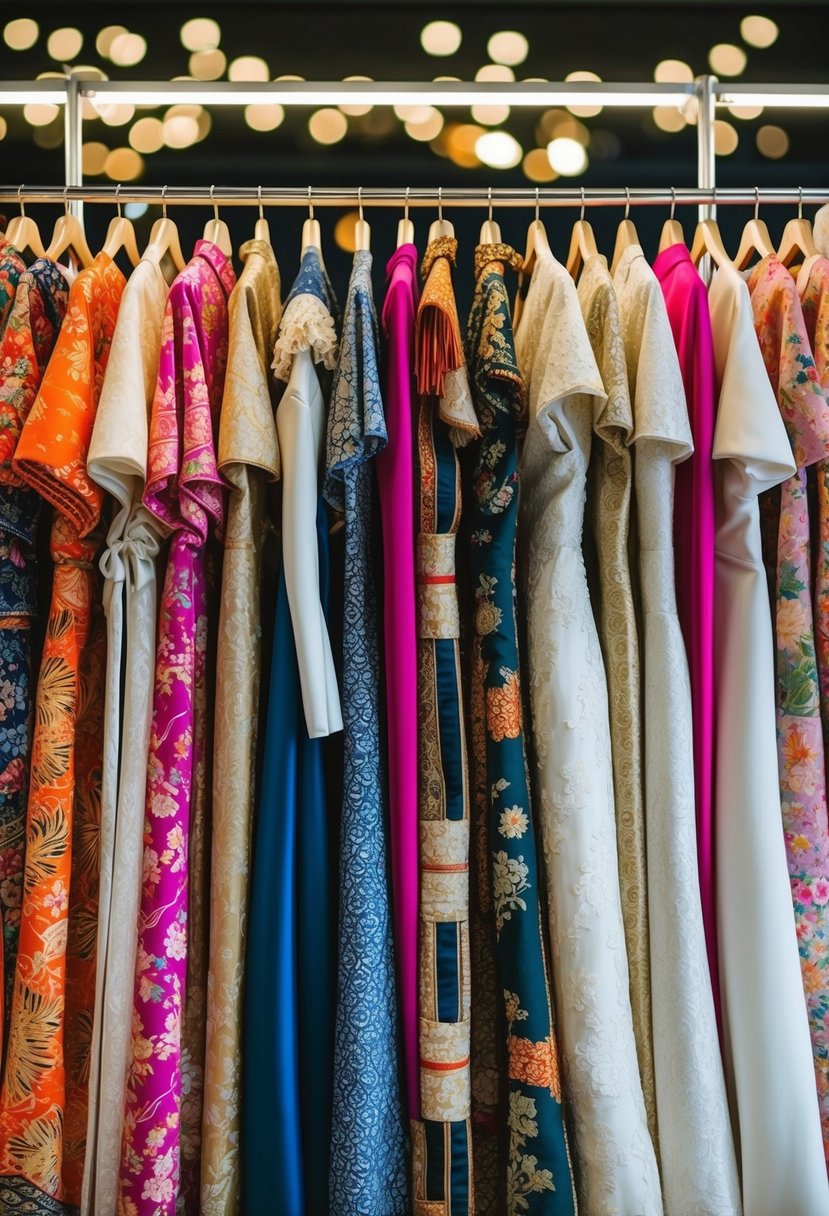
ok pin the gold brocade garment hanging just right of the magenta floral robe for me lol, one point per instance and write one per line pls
(249, 459)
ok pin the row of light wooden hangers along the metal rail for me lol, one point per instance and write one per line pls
(70, 237)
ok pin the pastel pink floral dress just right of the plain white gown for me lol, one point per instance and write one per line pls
(783, 339)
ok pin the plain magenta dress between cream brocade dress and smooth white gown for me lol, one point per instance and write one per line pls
(686, 300)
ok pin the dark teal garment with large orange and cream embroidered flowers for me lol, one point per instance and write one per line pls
(537, 1175)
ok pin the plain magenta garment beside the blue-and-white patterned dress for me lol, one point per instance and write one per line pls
(396, 480)
